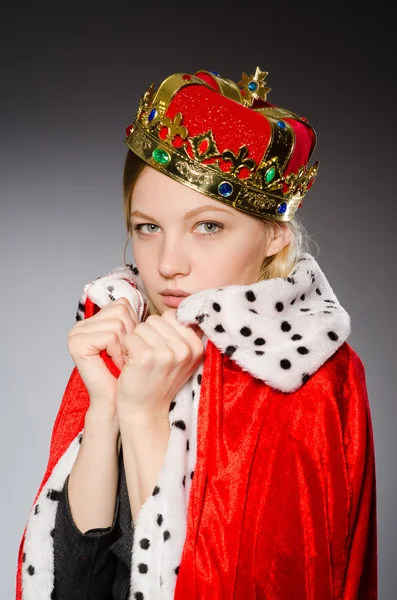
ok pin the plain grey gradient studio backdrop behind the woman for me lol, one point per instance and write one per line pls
(70, 84)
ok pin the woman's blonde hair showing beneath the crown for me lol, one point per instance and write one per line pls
(278, 265)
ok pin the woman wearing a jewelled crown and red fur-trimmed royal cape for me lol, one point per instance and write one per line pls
(215, 438)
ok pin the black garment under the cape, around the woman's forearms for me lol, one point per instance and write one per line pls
(94, 565)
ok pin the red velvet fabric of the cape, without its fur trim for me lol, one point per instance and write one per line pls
(283, 500)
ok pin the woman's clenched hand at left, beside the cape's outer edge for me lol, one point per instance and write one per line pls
(88, 338)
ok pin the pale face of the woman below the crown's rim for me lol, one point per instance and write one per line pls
(185, 240)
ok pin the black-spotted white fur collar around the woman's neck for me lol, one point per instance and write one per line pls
(280, 330)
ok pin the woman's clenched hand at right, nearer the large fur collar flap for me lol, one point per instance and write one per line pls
(160, 356)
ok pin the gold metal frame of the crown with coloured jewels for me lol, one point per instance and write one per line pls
(266, 192)
